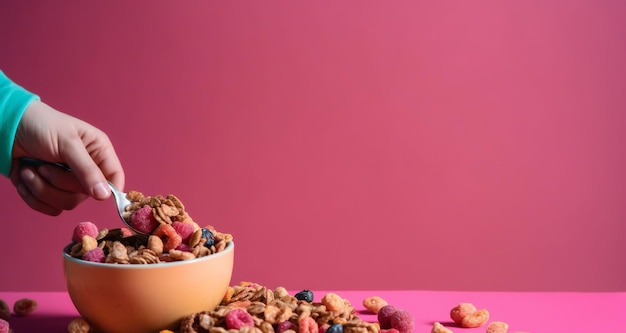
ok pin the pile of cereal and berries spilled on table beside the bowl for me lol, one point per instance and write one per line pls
(252, 308)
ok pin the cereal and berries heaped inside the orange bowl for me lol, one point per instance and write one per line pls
(172, 235)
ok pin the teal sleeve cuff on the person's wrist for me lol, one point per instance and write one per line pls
(13, 102)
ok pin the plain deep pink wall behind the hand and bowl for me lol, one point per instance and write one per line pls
(463, 145)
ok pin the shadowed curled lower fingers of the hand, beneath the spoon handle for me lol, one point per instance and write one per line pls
(42, 196)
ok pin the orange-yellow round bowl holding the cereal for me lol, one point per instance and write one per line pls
(146, 298)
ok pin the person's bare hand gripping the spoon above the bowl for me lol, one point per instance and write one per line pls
(47, 134)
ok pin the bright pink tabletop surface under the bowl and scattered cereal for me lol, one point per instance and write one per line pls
(524, 311)
